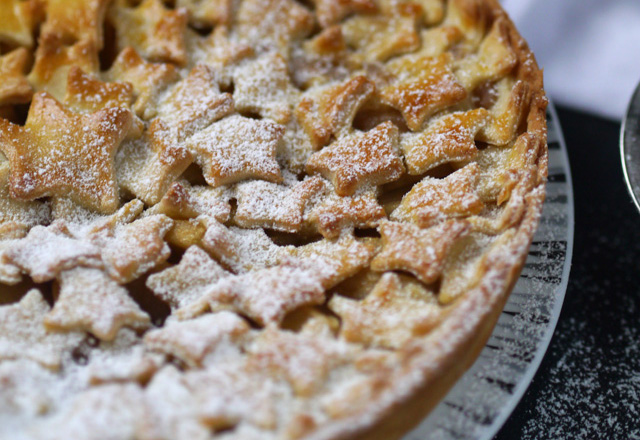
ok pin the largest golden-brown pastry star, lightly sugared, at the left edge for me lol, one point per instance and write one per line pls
(59, 153)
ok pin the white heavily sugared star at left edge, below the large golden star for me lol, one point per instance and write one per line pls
(48, 250)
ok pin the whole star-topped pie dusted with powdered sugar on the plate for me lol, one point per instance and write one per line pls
(256, 219)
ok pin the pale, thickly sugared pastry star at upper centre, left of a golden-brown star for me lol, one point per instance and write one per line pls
(263, 86)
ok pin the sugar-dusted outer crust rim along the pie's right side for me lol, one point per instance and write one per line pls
(435, 363)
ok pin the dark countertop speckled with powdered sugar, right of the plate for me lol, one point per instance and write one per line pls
(588, 385)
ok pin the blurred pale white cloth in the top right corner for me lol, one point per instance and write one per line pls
(589, 49)
